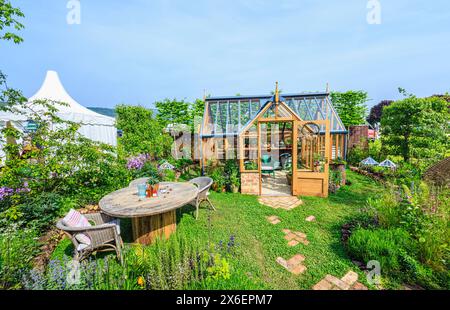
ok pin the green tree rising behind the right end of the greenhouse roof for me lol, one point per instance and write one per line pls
(351, 106)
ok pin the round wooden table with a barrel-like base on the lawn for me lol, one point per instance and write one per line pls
(152, 218)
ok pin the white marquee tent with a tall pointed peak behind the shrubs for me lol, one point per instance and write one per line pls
(94, 126)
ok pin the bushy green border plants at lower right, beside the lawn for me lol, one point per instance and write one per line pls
(412, 238)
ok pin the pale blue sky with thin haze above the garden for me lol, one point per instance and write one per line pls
(139, 51)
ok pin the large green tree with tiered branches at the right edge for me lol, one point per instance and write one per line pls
(416, 128)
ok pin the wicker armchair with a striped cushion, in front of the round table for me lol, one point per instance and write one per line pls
(104, 236)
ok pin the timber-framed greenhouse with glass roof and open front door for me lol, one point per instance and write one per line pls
(298, 134)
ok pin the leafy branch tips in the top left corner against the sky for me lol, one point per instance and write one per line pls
(9, 16)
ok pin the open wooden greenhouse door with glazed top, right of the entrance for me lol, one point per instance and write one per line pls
(310, 162)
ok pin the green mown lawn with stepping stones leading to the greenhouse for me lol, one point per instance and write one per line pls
(260, 243)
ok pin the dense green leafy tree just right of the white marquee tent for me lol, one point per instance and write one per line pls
(142, 132)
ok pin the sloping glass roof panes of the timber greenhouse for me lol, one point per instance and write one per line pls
(228, 116)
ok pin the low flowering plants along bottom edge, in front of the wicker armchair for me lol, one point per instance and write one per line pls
(172, 264)
